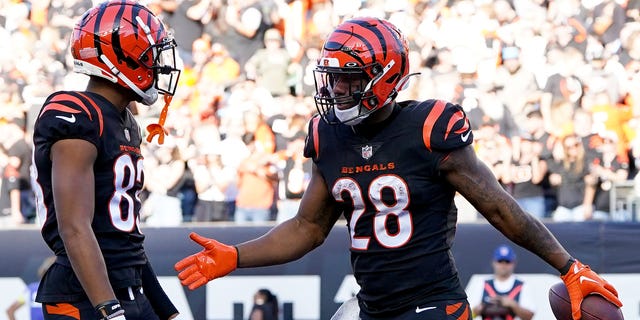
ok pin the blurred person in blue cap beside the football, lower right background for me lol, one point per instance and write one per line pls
(504, 296)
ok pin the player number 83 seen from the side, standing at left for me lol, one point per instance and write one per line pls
(88, 169)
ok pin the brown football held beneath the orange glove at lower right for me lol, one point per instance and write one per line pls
(594, 307)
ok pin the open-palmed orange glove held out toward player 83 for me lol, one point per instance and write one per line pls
(215, 261)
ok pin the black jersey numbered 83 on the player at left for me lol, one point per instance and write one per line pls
(118, 172)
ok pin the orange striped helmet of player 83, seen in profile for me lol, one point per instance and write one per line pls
(125, 43)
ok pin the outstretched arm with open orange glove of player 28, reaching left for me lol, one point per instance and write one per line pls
(286, 242)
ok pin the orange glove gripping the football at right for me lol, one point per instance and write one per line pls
(581, 281)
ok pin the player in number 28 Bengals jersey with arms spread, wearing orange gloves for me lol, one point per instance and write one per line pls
(392, 169)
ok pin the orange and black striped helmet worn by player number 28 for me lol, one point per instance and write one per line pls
(372, 49)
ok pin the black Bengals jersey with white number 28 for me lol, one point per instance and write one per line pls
(400, 212)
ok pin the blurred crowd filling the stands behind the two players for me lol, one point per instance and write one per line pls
(550, 88)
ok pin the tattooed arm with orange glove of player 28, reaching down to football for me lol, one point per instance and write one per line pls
(469, 176)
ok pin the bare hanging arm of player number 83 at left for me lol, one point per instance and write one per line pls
(73, 192)
